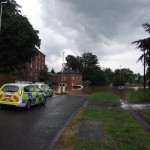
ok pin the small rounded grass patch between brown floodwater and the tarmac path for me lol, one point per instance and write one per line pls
(104, 96)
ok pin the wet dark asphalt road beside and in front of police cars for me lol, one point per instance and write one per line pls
(38, 128)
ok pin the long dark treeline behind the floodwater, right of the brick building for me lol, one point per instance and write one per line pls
(87, 64)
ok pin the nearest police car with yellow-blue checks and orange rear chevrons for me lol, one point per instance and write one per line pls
(21, 95)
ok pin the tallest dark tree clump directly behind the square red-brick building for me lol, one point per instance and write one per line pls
(87, 64)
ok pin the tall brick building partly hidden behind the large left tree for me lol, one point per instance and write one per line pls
(36, 66)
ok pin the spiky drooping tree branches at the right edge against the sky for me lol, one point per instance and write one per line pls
(144, 46)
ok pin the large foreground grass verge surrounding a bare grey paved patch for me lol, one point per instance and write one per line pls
(122, 132)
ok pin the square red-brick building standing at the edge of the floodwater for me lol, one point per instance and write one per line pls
(70, 77)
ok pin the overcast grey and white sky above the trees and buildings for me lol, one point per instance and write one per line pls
(104, 27)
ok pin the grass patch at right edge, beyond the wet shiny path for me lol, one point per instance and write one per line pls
(141, 95)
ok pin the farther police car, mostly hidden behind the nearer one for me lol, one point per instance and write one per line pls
(45, 88)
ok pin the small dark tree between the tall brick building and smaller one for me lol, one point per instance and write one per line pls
(43, 76)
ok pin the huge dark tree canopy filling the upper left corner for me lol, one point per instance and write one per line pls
(19, 41)
